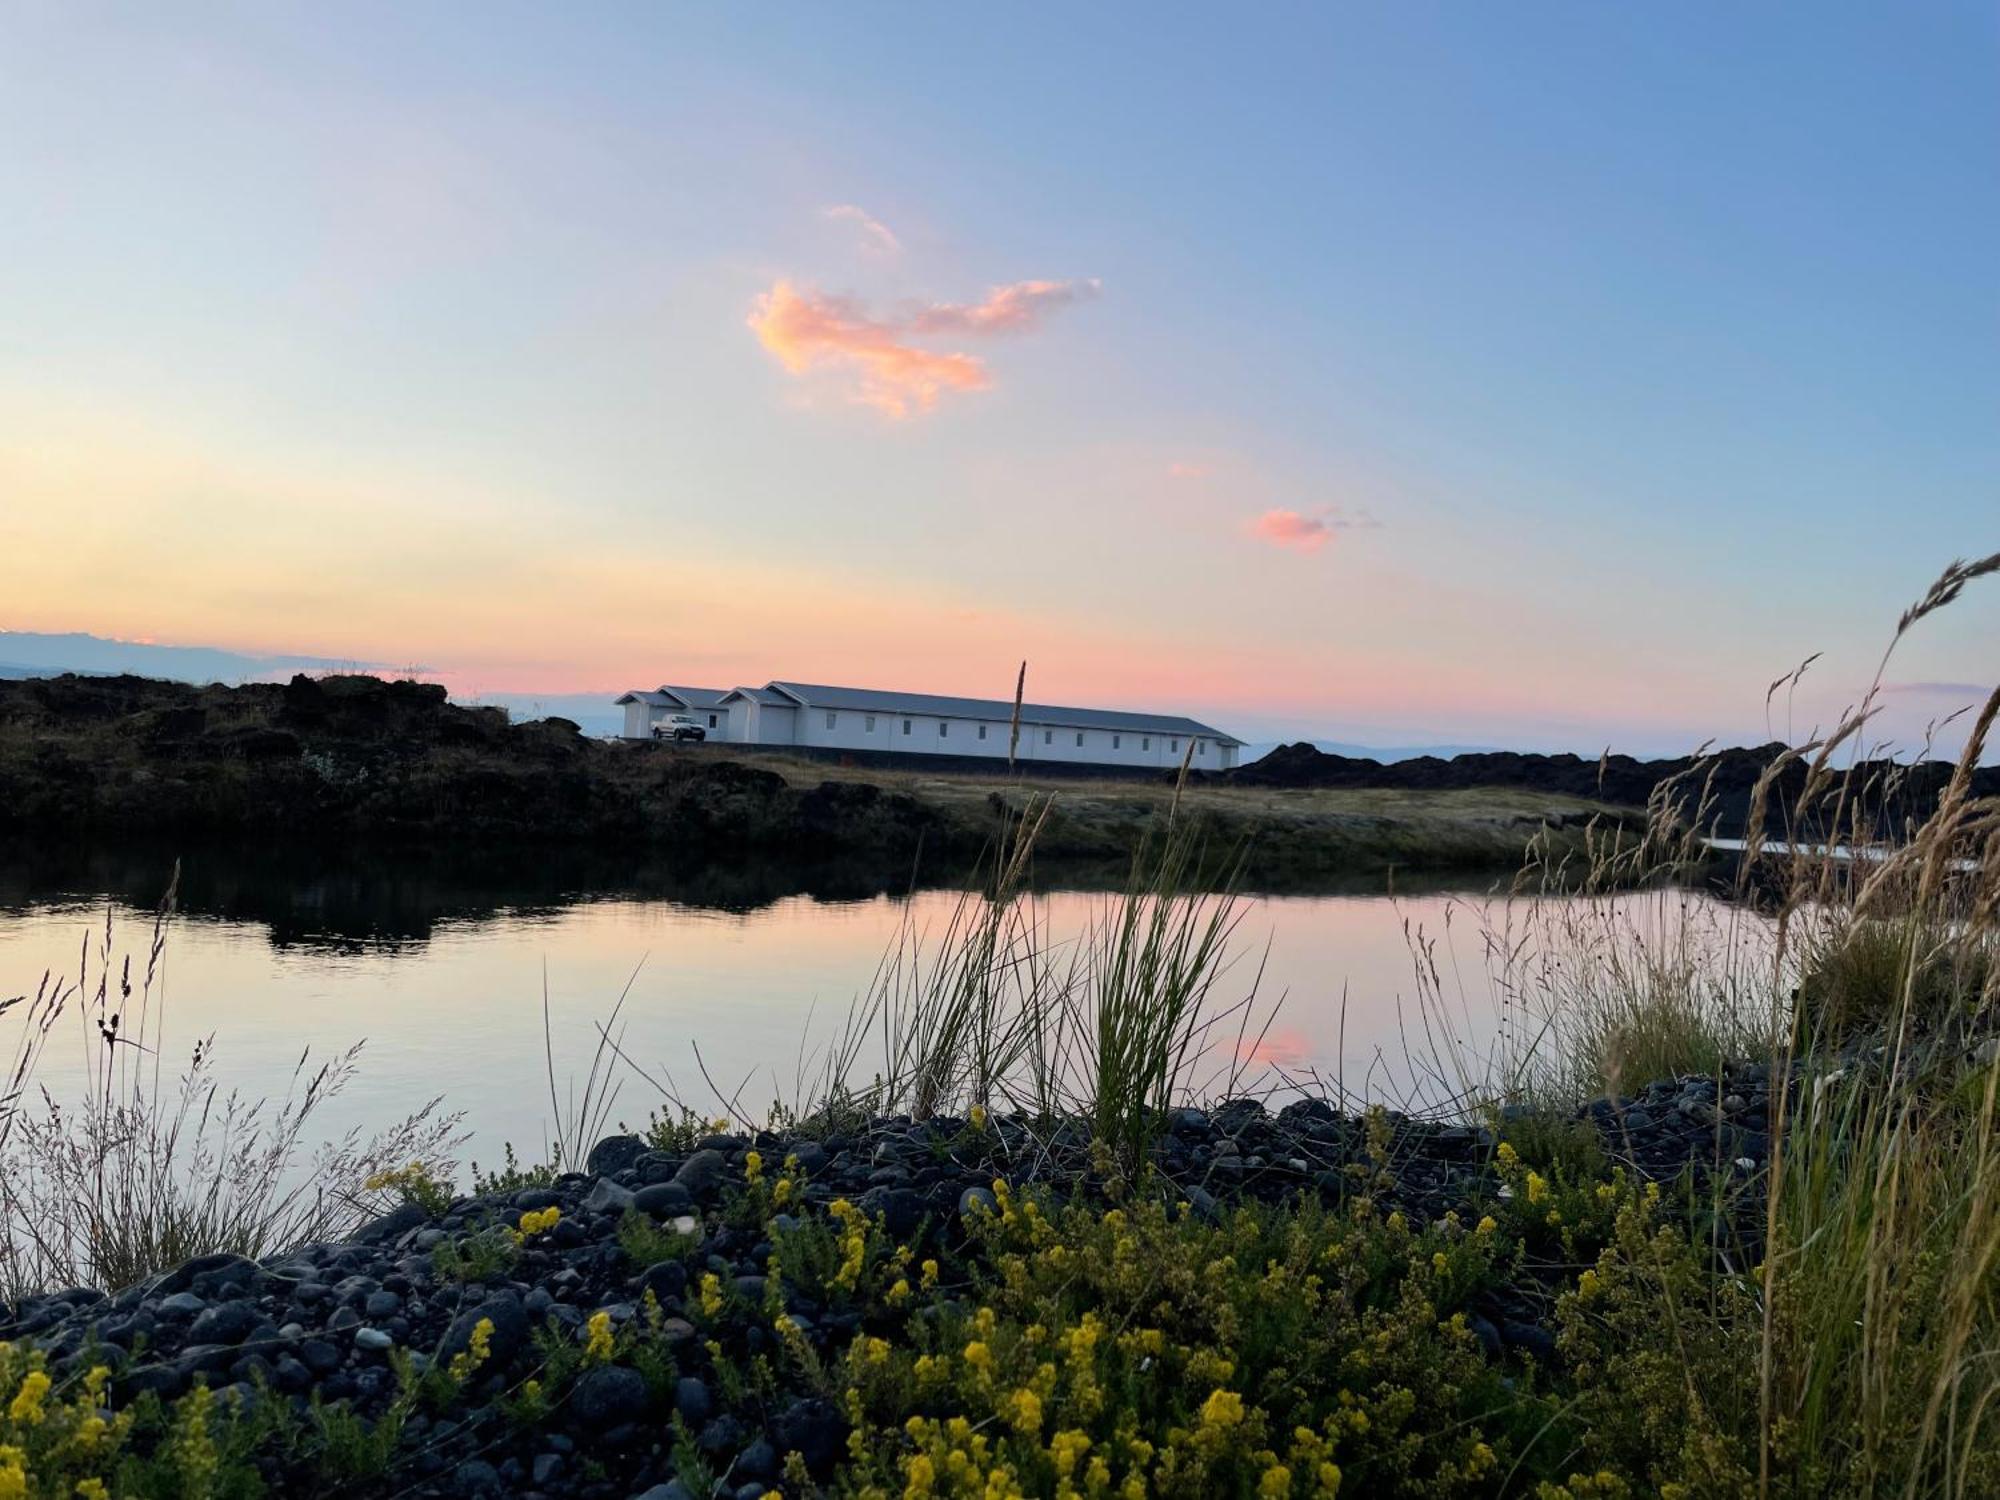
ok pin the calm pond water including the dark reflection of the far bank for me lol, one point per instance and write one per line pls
(441, 969)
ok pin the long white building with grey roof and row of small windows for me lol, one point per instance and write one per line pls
(925, 725)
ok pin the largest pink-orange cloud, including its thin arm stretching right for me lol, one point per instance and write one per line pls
(813, 331)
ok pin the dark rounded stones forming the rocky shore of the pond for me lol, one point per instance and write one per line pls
(671, 1259)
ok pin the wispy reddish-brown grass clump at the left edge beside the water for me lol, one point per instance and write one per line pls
(143, 1169)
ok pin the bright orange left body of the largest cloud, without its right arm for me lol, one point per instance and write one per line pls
(809, 331)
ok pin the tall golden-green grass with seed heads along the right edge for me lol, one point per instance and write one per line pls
(1861, 1315)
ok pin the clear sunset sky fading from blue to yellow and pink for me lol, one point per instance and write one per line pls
(1547, 375)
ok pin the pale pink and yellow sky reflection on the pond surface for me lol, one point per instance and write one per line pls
(463, 1015)
